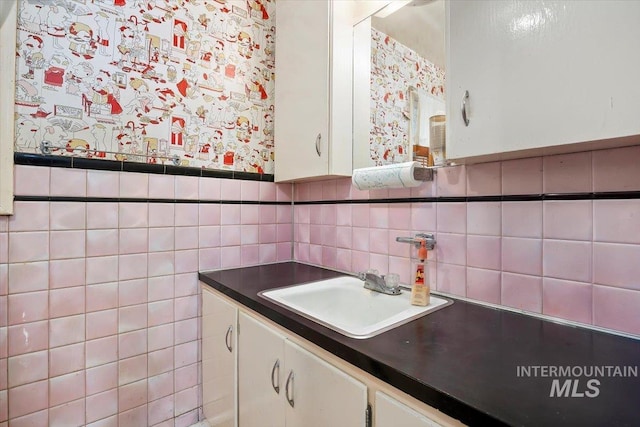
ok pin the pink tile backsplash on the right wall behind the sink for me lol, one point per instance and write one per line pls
(574, 260)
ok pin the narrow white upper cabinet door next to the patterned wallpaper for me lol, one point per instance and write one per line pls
(302, 89)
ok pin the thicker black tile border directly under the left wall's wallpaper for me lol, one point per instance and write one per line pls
(30, 159)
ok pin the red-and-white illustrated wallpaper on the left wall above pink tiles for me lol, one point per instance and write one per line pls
(147, 80)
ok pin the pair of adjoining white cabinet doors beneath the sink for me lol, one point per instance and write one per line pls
(281, 383)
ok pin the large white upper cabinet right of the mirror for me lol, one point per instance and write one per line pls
(542, 76)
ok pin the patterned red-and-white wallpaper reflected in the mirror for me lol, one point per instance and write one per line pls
(394, 69)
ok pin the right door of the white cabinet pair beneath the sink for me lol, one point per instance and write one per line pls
(320, 395)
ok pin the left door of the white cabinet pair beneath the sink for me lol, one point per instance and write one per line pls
(260, 374)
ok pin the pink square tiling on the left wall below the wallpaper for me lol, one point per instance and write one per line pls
(99, 301)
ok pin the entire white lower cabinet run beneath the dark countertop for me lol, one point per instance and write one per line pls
(257, 374)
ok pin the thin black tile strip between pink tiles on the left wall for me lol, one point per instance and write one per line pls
(143, 200)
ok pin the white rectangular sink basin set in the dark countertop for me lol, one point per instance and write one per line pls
(344, 305)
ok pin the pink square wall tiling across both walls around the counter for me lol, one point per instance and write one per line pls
(107, 292)
